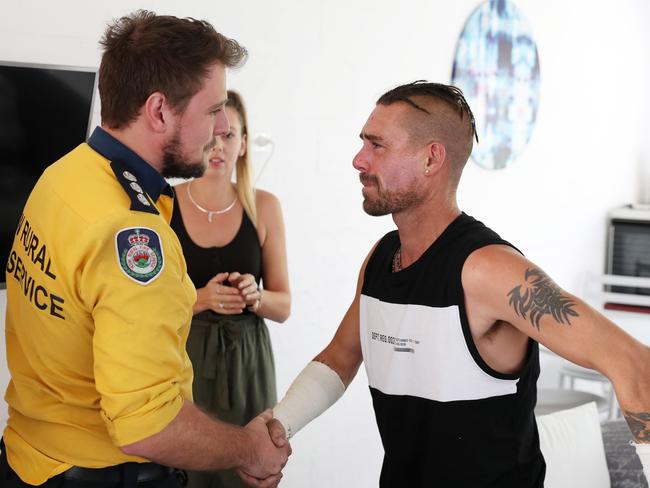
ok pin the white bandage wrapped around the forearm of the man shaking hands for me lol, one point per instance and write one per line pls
(314, 390)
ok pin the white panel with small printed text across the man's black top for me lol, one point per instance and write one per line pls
(420, 351)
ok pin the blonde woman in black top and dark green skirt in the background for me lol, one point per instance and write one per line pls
(233, 240)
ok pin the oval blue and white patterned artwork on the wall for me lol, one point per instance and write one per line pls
(497, 67)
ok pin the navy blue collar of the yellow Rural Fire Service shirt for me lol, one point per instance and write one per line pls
(149, 179)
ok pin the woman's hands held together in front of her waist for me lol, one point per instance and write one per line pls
(241, 291)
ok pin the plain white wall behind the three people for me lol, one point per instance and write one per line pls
(314, 72)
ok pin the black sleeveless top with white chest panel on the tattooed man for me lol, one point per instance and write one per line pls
(445, 417)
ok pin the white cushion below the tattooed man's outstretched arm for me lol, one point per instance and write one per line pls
(572, 444)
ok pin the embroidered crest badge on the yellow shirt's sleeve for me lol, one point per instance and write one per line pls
(139, 253)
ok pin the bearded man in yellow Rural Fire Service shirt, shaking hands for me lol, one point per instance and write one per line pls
(98, 298)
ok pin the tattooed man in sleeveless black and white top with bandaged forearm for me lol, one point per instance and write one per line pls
(447, 318)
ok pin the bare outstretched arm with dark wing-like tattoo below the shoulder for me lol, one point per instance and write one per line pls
(505, 286)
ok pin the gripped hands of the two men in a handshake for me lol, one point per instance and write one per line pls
(269, 452)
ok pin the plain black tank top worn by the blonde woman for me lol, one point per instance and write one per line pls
(242, 254)
